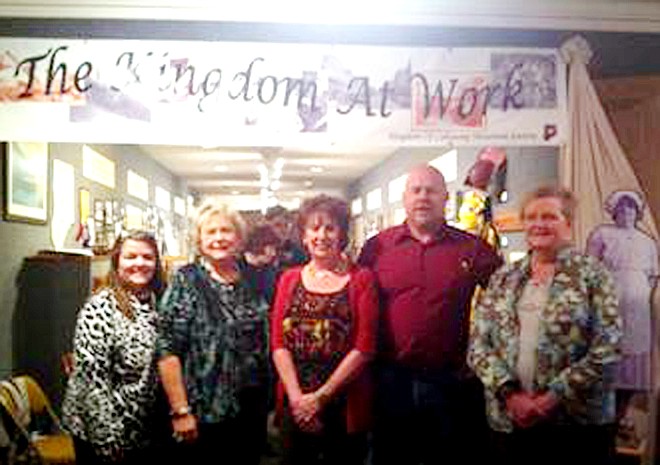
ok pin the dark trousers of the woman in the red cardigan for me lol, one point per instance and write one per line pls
(333, 446)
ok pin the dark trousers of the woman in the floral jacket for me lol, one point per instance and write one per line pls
(556, 445)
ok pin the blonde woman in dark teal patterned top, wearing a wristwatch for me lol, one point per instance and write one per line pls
(212, 347)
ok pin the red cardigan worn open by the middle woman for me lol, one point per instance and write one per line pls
(363, 300)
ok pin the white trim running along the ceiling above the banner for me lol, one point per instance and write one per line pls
(602, 15)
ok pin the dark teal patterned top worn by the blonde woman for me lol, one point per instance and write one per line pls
(219, 331)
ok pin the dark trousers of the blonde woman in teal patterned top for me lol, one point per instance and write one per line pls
(234, 441)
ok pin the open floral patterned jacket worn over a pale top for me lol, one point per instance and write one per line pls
(578, 339)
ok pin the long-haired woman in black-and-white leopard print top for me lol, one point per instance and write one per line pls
(111, 391)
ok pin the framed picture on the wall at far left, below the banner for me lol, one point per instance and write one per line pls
(26, 182)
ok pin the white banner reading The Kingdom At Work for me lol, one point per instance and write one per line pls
(261, 94)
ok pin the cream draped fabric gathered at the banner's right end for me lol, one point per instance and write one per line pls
(593, 164)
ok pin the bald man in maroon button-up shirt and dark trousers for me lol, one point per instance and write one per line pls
(428, 408)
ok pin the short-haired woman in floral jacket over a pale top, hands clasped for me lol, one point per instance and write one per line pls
(545, 343)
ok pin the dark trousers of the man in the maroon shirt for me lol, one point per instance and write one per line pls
(428, 417)
